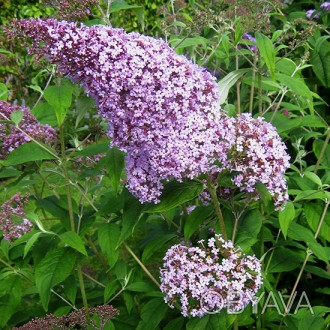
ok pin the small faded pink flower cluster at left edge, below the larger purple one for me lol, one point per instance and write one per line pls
(13, 223)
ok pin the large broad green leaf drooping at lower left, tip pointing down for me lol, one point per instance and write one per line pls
(52, 270)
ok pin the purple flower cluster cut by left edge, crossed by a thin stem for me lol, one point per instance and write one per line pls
(11, 137)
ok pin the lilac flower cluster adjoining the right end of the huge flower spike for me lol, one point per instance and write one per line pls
(259, 155)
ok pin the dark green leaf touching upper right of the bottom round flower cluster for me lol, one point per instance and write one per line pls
(248, 229)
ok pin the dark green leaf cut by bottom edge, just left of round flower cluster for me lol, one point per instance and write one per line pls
(152, 313)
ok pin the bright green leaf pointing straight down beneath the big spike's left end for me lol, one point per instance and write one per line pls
(60, 97)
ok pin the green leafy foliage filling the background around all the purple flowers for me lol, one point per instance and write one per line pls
(114, 251)
